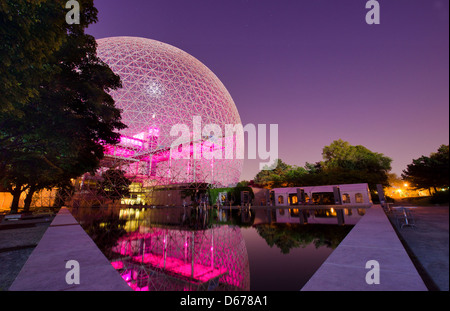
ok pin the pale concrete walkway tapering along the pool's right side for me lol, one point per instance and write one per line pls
(373, 238)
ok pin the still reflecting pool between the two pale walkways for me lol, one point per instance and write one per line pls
(178, 249)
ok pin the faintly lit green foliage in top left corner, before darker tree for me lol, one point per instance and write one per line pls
(31, 32)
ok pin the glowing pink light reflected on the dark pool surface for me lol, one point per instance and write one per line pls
(226, 259)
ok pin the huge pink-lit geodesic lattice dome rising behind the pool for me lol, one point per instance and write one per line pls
(164, 86)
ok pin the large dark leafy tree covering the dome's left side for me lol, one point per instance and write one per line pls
(58, 131)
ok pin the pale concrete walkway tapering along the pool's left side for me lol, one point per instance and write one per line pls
(65, 240)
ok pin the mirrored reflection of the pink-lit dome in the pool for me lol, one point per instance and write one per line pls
(161, 259)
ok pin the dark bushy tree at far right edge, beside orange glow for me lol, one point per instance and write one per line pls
(429, 172)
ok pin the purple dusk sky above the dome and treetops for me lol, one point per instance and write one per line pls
(314, 67)
